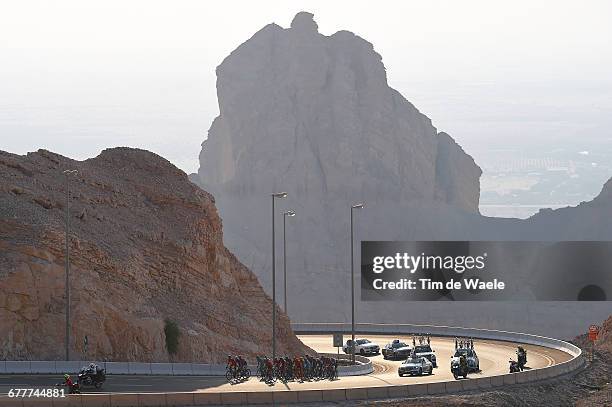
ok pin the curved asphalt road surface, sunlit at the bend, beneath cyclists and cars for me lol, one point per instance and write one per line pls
(493, 355)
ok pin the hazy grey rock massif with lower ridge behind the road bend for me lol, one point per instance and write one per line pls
(313, 115)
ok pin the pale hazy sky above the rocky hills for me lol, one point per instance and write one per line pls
(79, 76)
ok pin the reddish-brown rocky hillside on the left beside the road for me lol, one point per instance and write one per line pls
(146, 246)
